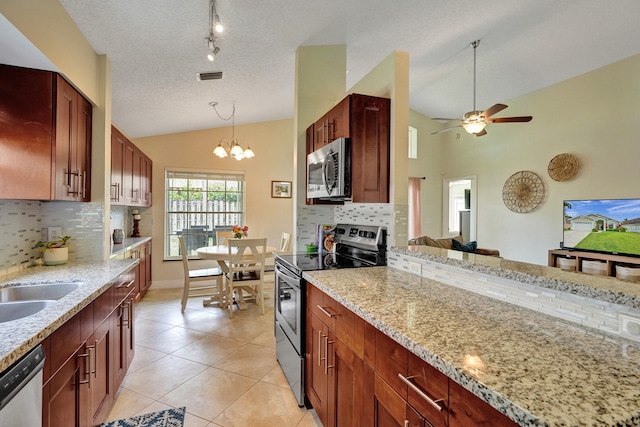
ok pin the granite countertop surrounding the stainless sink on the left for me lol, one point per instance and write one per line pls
(20, 336)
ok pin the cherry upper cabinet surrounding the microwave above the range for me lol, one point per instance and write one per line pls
(365, 120)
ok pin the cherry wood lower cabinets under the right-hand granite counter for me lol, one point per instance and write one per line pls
(358, 376)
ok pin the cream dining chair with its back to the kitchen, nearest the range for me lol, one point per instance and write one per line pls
(245, 272)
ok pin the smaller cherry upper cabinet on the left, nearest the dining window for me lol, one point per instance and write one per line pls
(131, 172)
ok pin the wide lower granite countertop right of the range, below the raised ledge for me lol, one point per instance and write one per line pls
(536, 369)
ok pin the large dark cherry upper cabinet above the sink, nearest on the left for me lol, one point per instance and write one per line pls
(45, 137)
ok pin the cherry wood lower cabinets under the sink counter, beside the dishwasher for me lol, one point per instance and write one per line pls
(80, 376)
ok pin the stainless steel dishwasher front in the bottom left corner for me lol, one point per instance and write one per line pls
(21, 391)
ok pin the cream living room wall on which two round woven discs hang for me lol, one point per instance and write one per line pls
(592, 116)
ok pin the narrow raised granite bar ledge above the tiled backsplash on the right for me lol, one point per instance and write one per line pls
(603, 288)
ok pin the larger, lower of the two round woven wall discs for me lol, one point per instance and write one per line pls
(523, 191)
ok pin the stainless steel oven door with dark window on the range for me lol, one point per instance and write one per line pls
(290, 305)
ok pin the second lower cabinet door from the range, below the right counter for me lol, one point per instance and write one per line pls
(346, 393)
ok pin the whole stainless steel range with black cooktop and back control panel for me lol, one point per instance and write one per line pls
(356, 246)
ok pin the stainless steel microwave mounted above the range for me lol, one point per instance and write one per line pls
(329, 171)
